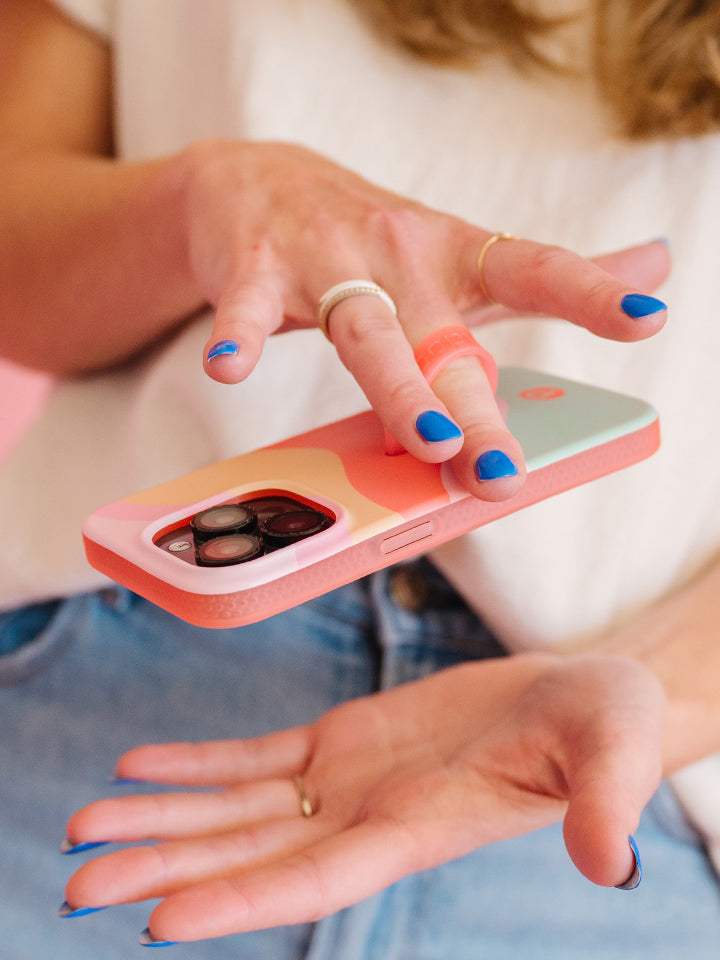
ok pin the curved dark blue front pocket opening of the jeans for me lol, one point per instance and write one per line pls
(31, 639)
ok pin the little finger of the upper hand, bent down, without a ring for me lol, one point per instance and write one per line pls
(245, 316)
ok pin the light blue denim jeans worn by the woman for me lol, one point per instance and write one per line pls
(86, 678)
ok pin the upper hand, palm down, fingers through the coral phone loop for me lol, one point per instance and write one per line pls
(271, 227)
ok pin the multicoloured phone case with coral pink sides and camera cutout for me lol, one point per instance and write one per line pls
(385, 508)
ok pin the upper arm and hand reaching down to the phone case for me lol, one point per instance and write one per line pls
(261, 232)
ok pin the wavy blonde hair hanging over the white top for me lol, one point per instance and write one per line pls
(656, 62)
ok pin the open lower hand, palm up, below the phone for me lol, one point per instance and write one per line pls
(398, 782)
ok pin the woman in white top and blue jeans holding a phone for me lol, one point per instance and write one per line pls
(106, 272)
